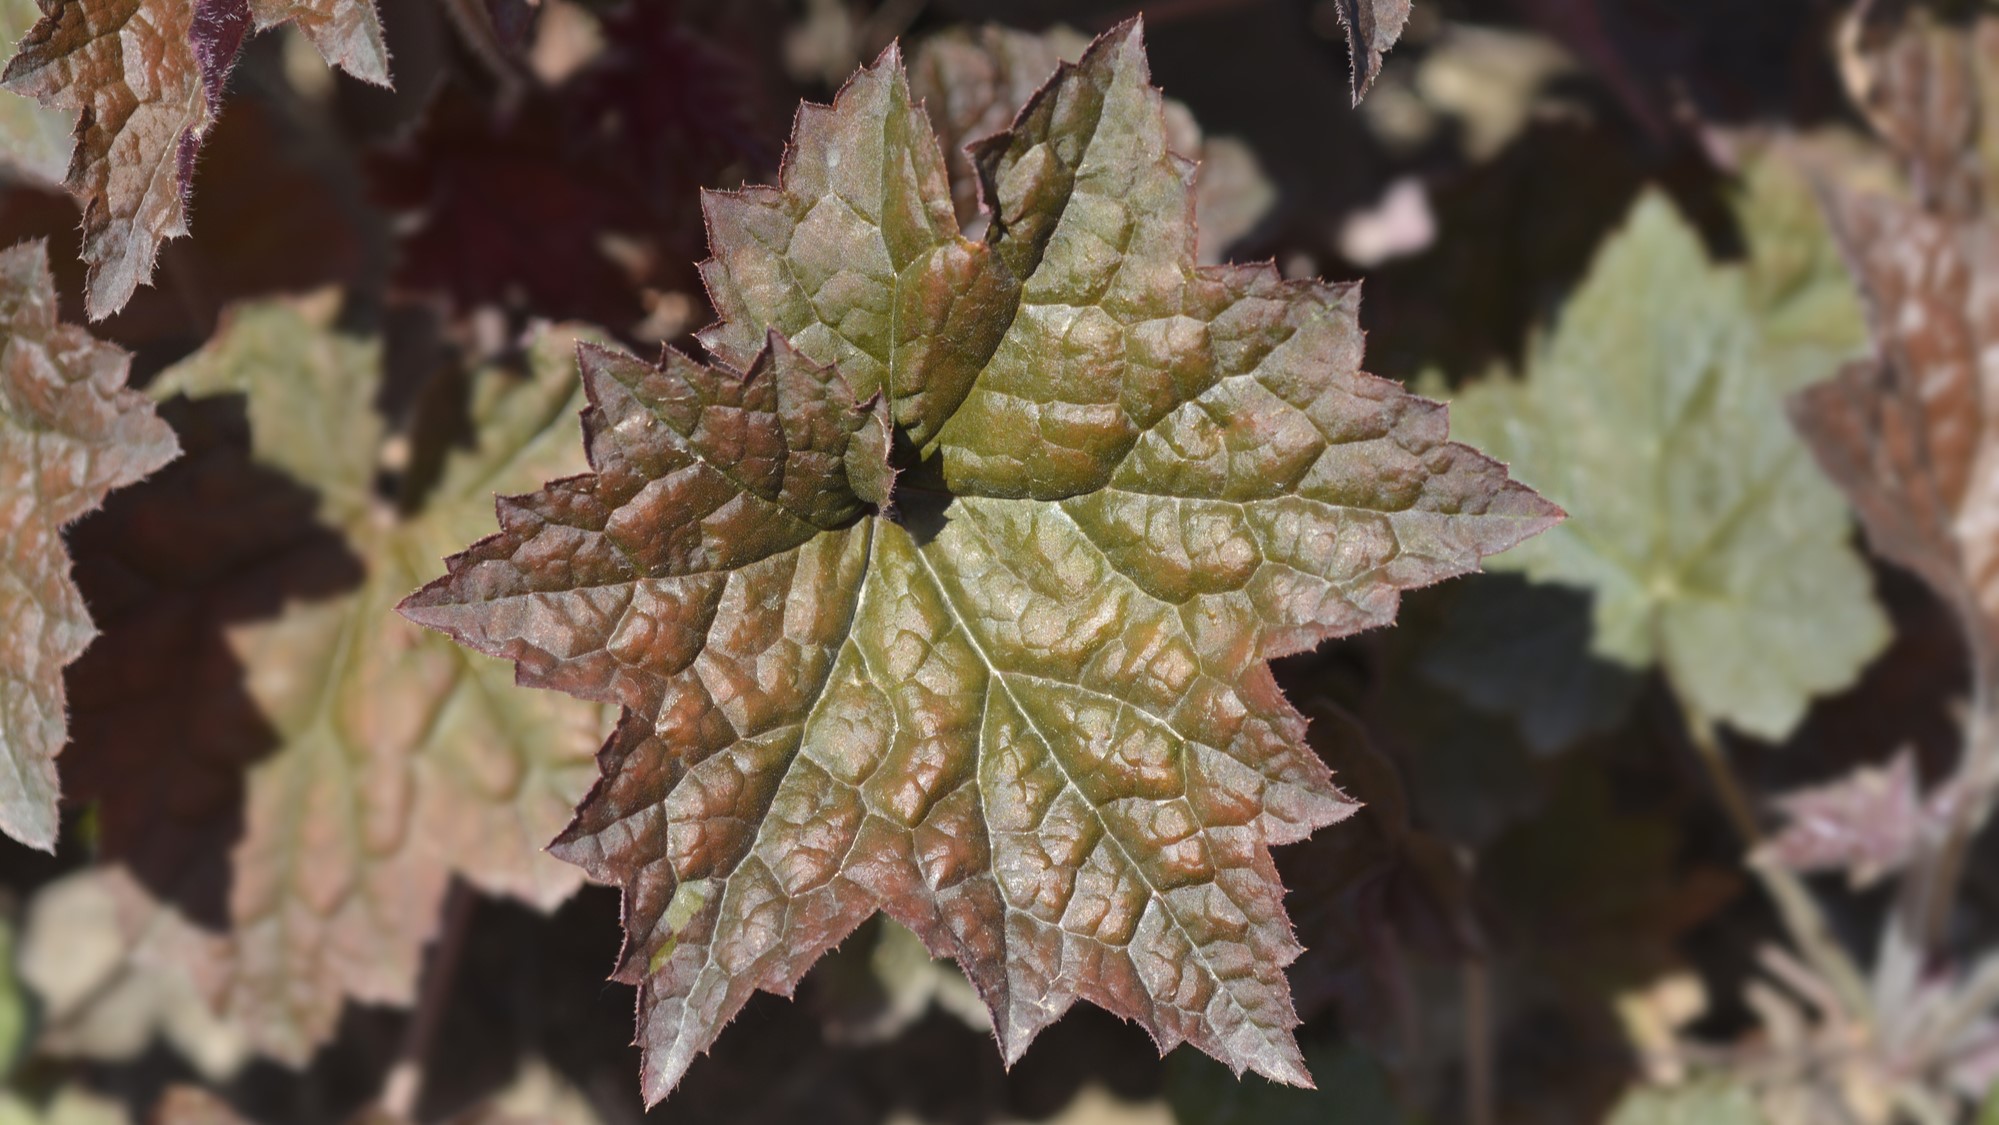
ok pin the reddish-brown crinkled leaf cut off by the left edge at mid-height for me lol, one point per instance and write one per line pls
(71, 433)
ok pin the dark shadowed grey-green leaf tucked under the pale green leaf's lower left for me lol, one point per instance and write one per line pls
(1522, 648)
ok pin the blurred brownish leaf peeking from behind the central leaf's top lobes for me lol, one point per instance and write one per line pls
(973, 81)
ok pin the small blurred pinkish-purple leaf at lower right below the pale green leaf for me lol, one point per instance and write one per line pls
(1868, 824)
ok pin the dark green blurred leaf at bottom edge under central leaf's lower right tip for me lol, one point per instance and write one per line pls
(1352, 1090)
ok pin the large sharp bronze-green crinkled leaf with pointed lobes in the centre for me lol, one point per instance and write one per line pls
(1022, 706)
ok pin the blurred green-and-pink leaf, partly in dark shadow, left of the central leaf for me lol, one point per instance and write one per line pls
(397, 758)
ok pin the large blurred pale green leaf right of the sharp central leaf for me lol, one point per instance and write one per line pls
(1710, 541)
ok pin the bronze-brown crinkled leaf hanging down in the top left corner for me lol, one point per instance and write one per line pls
(147, 81)
